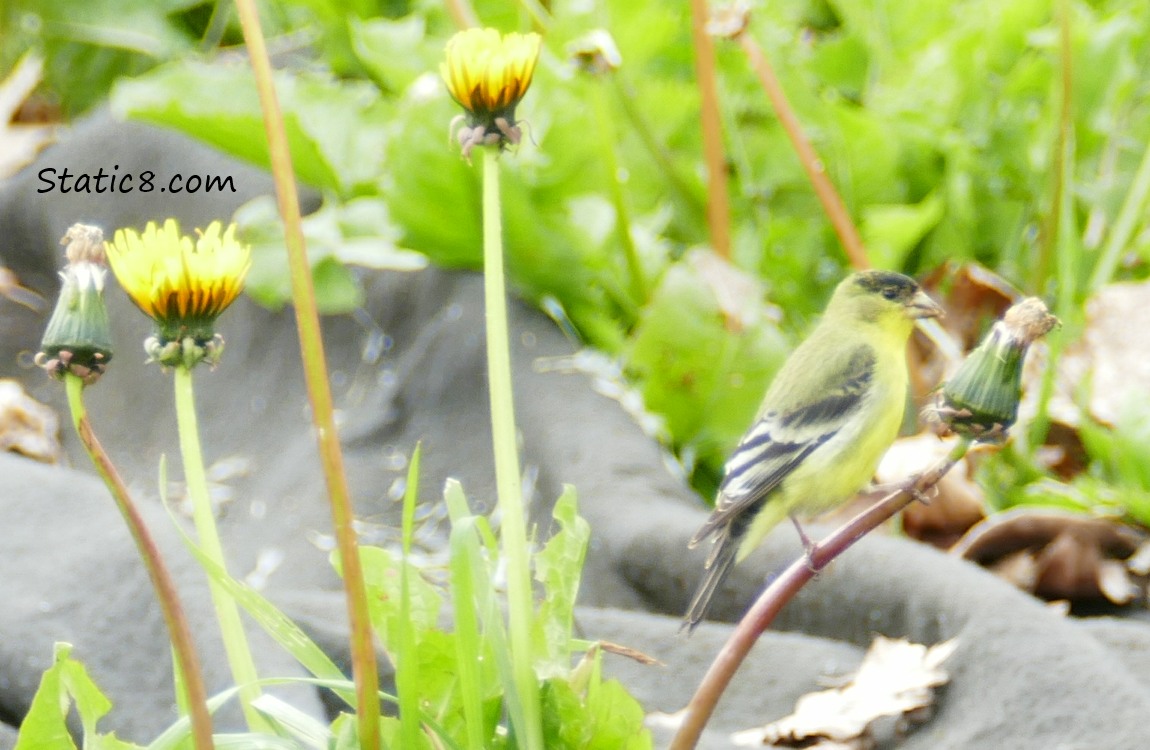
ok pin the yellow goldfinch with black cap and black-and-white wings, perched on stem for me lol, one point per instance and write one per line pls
(831, 414)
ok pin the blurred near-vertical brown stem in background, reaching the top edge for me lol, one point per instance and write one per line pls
(718, 201)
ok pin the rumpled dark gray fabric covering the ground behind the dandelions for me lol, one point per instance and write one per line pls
(1022, 678)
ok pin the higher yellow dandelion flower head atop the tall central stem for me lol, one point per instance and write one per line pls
(488, 74)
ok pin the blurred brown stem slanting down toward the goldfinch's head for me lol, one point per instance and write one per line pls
(816, 172)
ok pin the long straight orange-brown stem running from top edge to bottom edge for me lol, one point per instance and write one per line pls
(319, 389)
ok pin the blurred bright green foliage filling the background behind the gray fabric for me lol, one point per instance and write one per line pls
(938, 120)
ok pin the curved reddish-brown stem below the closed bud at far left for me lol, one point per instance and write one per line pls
(182, 645)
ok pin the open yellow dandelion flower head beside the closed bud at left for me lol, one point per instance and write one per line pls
(181, 282)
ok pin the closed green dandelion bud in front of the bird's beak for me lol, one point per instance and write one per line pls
(982, 400)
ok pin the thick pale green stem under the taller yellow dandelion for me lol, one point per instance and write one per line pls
(508, 476)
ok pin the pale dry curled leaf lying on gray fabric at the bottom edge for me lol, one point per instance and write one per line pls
(896, 679)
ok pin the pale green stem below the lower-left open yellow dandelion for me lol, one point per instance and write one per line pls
(232, 629)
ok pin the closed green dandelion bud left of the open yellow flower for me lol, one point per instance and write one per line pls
(79, 338)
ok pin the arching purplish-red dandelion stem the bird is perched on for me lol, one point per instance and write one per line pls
(785, 588)
